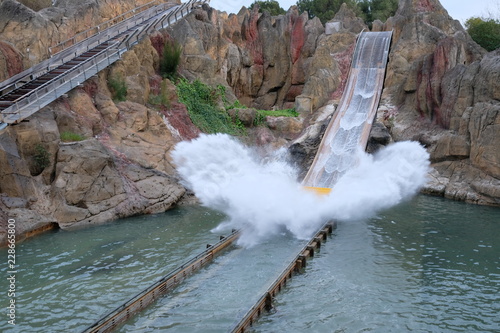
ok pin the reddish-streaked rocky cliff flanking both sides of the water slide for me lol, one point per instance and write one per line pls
(441, 87)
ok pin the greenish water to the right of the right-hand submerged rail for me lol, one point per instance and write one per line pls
(429, 265)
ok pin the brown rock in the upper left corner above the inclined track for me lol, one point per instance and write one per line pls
(32, 33)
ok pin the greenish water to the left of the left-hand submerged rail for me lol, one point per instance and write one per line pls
(66, 280)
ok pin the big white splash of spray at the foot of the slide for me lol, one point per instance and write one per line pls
(262, 196)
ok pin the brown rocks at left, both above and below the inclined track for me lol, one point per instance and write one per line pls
(122, 166)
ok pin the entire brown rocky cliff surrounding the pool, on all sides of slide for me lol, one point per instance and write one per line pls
(441, 89)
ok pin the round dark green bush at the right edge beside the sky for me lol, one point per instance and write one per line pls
(485, 32)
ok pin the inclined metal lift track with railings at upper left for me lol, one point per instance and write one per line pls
(75, 60)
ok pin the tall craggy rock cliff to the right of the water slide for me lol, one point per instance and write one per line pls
(443, 90)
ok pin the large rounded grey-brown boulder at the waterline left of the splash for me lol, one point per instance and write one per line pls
(90, 188)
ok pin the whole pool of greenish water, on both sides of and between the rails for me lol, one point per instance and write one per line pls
(429, 265)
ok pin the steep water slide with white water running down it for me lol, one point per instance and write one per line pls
(351, 124)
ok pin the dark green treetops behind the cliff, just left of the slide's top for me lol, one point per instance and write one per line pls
(325, 10)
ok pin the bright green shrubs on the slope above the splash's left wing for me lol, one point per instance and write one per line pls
(201, 101)
